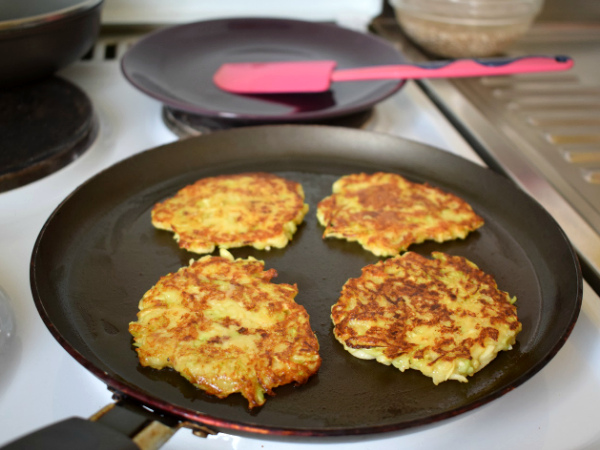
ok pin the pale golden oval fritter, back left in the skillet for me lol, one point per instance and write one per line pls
(261, 210)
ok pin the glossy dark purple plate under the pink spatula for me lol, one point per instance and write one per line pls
(176, 65)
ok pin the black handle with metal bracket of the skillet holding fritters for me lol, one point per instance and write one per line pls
(122, 425)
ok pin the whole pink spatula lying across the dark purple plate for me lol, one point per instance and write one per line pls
(317, 76)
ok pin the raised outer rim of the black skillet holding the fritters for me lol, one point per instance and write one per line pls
(113, 381)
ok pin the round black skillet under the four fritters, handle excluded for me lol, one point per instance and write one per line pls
(98, 253)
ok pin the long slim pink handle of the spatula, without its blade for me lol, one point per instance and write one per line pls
(457, 68)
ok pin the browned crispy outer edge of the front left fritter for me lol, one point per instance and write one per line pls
(305, 340)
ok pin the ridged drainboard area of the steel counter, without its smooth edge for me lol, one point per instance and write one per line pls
(553, 118)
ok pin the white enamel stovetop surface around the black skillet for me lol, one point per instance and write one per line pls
(41, 384)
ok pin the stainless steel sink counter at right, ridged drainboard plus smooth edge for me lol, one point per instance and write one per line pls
(541, 130)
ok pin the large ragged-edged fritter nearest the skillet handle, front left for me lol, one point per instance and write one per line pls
(226, 328)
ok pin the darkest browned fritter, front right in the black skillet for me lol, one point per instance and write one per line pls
(443, 316)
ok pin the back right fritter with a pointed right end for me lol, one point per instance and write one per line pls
(385, 213)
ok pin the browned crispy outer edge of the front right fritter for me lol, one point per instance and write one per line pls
(470, 359)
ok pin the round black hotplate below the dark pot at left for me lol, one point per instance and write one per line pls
(43, 127)
